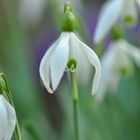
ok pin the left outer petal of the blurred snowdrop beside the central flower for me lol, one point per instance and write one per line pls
(107, 74)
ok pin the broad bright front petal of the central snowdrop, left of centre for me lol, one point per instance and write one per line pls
(59, 59)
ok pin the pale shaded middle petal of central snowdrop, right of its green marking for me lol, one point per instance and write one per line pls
(83, 65)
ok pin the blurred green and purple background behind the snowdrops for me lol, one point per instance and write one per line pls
(27, 29)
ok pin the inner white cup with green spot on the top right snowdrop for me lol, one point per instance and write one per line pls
(130, 12)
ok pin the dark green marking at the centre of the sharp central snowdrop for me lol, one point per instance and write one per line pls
(71, 65)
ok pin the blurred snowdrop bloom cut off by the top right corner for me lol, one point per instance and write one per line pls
(112, 11)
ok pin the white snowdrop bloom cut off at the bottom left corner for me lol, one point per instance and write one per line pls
(7, 119)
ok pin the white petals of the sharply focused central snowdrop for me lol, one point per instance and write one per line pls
(54, 62)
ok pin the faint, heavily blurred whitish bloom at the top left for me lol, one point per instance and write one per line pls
(31, 11)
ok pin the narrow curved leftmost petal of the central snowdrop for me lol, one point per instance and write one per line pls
(44, 69)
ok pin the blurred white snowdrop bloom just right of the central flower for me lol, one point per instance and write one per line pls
(116, 62)
